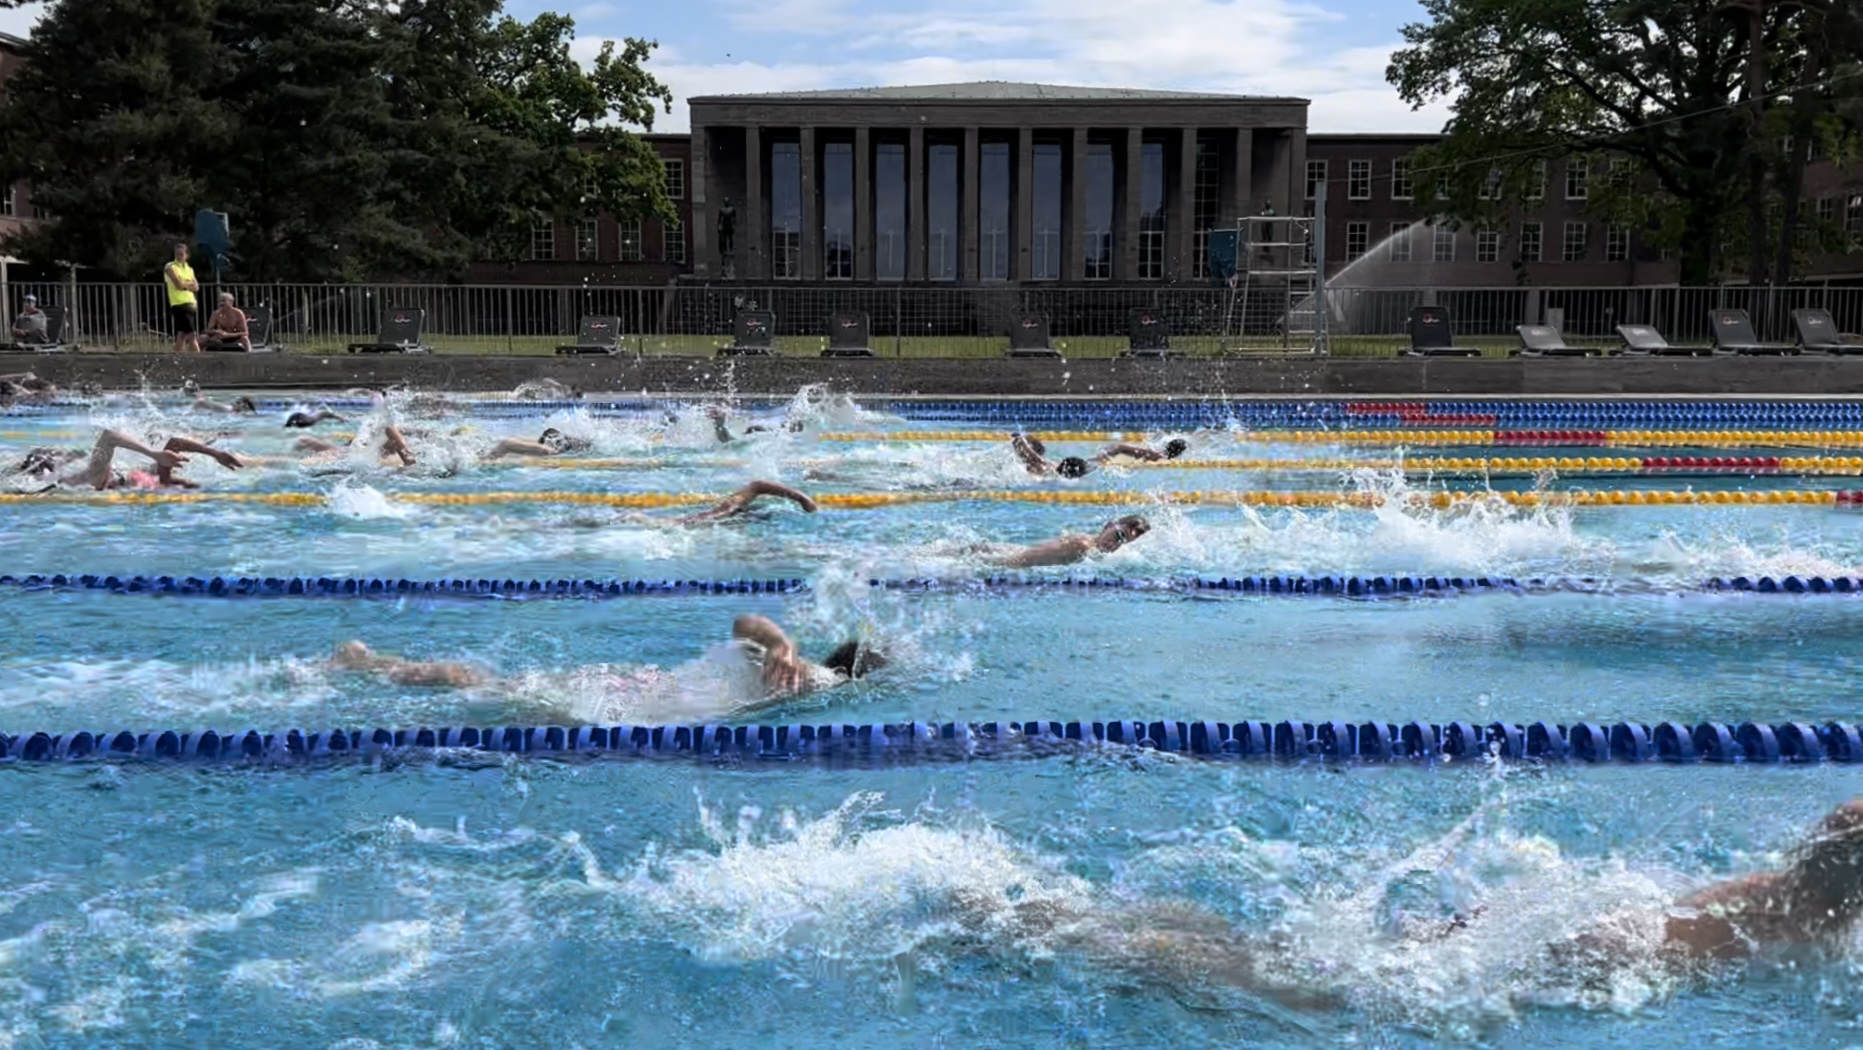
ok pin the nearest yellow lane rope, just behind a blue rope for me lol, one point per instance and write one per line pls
(867, 502)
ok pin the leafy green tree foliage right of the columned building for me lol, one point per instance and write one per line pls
(1666, 87)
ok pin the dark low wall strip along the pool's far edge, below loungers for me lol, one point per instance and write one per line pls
(1445, 377)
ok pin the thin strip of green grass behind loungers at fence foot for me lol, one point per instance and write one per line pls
(983, 347)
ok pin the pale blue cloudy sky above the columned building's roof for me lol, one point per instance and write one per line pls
(1327, 51)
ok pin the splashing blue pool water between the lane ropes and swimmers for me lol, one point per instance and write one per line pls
(491, 902)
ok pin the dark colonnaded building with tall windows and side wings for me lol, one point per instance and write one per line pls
(996, 183)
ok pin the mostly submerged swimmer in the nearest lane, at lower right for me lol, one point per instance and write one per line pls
(1815, 902)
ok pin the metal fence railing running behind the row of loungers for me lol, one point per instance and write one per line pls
(921, 321)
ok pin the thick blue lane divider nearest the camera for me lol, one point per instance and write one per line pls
(1752, 744)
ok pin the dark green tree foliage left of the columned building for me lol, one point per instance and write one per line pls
(346, 139)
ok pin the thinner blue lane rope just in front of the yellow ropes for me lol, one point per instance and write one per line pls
(599, 589)
